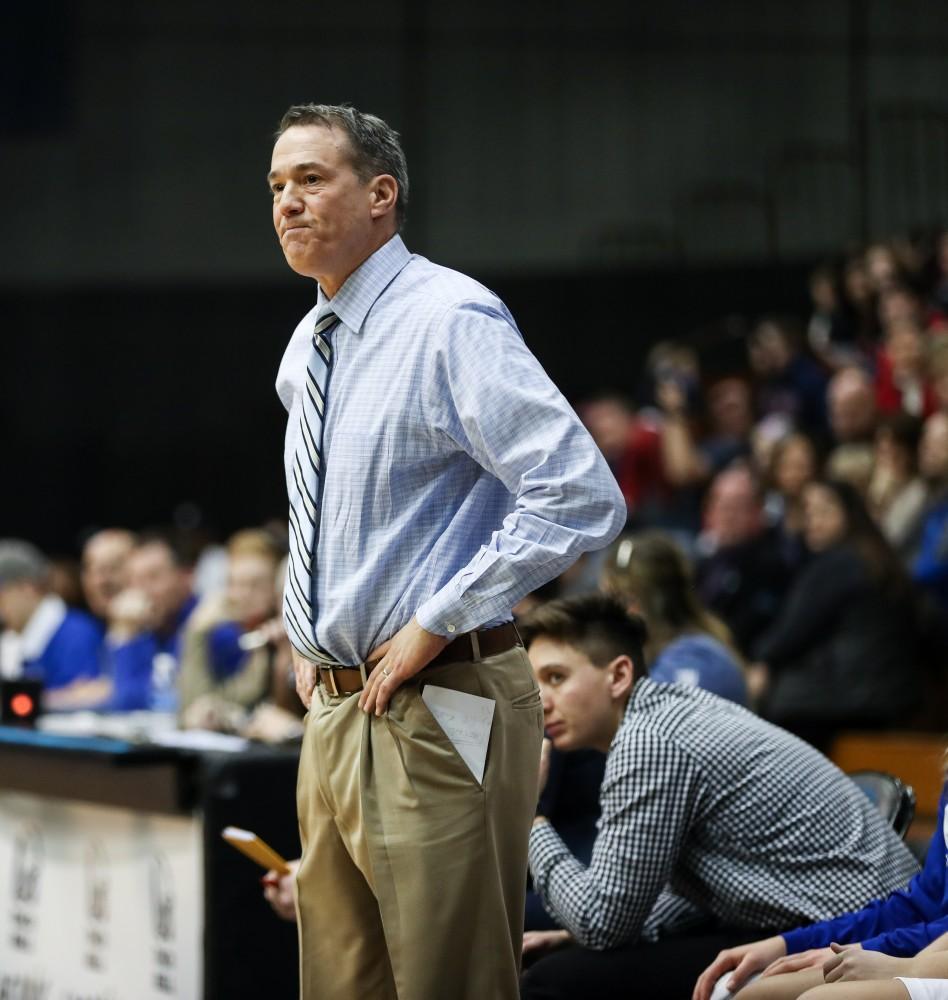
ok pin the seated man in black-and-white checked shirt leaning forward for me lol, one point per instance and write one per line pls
(708, 813)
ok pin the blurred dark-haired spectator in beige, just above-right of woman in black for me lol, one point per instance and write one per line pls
(896, 494)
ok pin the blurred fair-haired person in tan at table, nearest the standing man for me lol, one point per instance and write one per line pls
(231, 639)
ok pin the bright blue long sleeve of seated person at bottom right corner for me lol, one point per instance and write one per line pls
(901, 924)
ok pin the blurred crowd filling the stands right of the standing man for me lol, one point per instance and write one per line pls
(802, 498)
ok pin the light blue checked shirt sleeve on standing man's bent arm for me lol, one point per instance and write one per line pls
(494, 400)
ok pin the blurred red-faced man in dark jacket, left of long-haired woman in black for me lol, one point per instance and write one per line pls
(742, 572)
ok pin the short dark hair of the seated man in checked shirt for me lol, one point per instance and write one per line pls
(596, 625)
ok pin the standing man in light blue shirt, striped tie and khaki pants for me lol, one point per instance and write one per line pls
(435, 477)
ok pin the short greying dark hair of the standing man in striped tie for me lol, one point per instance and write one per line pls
(376, 146)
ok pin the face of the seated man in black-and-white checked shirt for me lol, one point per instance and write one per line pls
(578, 707)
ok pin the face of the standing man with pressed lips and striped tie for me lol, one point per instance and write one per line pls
(322, 211)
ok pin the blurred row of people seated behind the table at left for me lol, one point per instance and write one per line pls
(147, 623)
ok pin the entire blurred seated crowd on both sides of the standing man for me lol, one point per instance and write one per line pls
(787, 542)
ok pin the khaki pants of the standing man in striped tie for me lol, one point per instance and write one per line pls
(413, 875)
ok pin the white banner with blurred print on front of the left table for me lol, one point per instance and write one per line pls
(98, 903)
